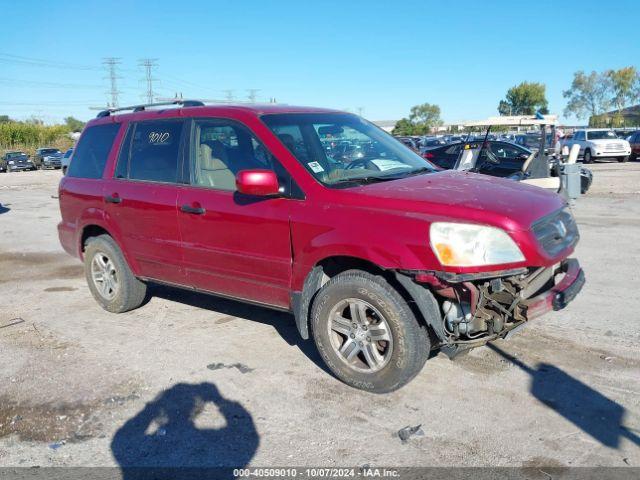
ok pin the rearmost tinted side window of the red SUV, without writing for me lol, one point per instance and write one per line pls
(92, 151)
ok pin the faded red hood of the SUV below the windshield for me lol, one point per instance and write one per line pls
(463, 196)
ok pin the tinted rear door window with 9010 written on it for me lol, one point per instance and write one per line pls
(151, 151)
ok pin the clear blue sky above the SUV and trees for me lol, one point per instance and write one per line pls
(377, 58)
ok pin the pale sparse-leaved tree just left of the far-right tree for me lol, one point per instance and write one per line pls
(589, 95)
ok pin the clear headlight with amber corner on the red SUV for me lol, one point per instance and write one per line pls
(468, 245)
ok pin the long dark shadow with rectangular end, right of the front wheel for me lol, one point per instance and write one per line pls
(589, 410)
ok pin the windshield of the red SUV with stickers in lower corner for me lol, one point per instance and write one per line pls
(342, 149)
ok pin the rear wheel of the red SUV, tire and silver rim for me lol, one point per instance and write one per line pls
(103, 255)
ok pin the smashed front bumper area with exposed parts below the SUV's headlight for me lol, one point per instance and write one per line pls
(475, 309)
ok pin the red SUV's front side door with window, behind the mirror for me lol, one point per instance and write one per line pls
(233, 244)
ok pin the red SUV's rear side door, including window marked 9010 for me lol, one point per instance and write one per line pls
(141, 197)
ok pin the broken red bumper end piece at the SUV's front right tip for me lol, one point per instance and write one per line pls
(560, 295)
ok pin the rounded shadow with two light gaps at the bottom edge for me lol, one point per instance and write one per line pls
(188, 431)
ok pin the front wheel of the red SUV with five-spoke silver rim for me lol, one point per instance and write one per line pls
(376, 366)
